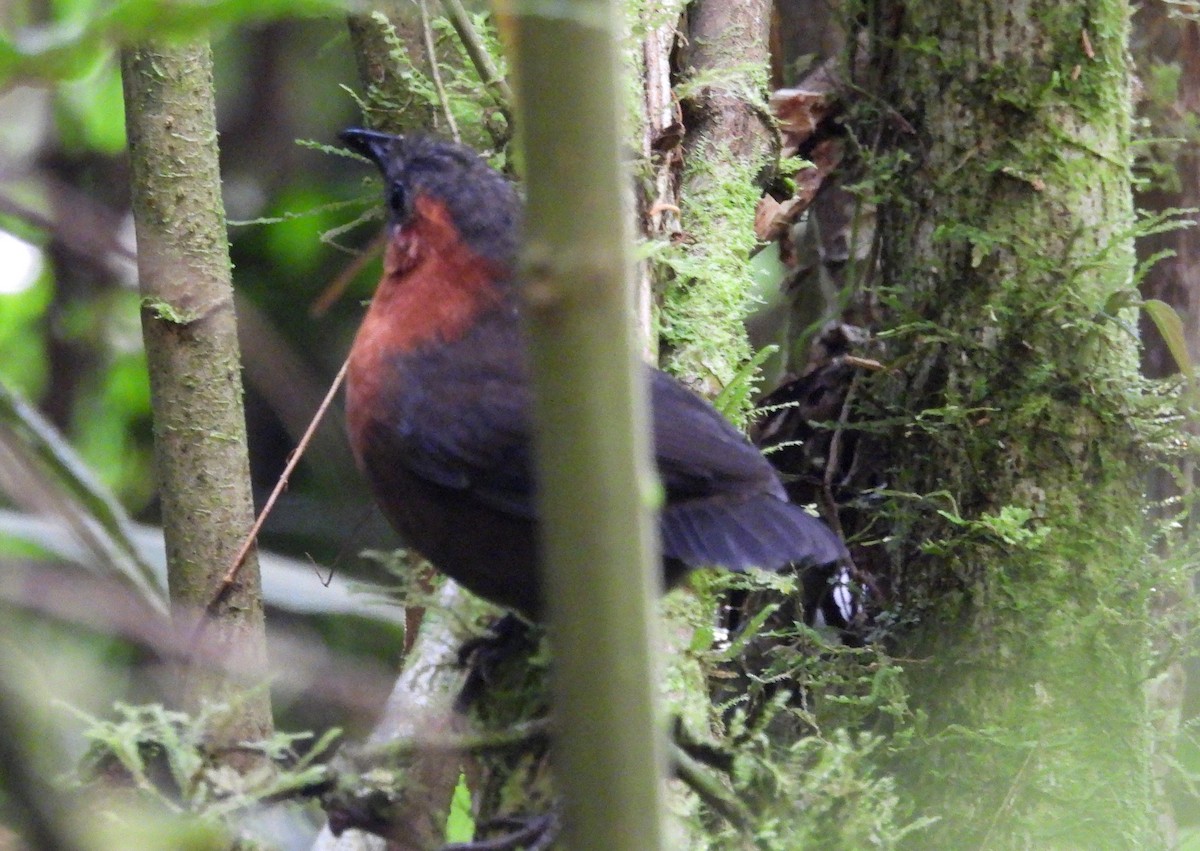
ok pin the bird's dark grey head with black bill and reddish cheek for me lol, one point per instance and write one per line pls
(425, 177)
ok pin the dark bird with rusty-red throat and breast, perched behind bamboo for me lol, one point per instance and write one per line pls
(439, 400)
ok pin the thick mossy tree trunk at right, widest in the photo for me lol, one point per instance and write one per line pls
(1006, 427)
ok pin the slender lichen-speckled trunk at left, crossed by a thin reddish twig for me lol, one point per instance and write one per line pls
(191, 341)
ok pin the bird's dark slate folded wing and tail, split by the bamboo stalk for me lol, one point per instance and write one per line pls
(465, 424)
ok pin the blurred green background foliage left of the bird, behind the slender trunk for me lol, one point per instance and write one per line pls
(70, 344)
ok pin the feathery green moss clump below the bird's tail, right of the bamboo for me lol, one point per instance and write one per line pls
(808, 723)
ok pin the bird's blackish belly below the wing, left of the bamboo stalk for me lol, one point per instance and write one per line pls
(491, 554)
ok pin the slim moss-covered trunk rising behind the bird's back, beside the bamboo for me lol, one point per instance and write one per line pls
(729, 146)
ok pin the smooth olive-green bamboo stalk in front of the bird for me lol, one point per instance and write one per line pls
(596, 481)
